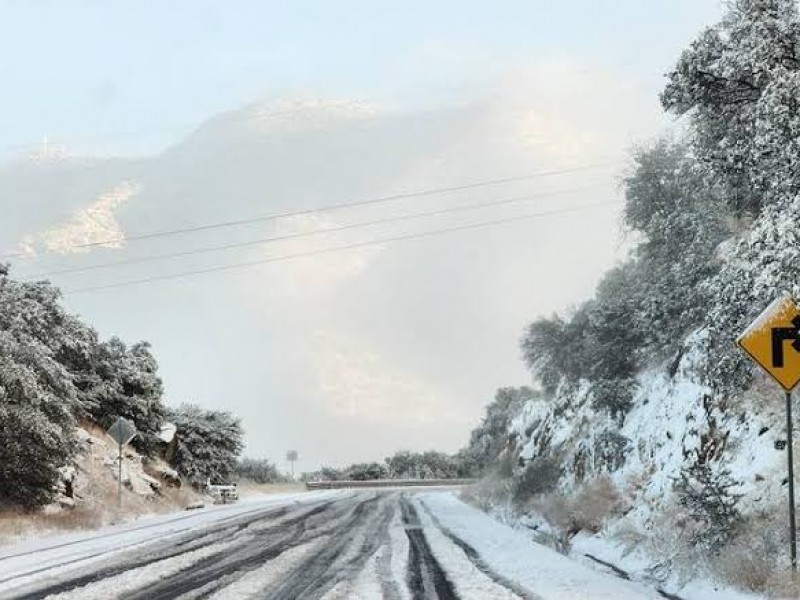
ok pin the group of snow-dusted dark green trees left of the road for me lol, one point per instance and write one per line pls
(56, 374)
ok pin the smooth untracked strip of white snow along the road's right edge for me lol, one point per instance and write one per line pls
(543, 571)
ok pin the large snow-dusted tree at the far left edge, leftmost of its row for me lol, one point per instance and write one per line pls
(37, 395)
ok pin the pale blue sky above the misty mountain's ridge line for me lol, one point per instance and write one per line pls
(130, 72)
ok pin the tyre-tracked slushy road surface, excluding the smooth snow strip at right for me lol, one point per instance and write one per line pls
(365, 544)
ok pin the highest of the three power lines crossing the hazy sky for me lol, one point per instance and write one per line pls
(344, 205)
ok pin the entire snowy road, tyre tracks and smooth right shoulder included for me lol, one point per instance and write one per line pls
(331, 545)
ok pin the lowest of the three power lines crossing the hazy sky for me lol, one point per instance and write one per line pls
(286, 257)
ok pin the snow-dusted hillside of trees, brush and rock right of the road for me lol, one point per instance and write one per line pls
(715, 214)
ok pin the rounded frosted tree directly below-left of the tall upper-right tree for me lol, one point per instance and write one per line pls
(680, 219)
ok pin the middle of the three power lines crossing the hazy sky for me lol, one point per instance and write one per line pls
(302, 234)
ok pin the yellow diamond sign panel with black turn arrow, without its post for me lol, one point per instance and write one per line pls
(773, 341)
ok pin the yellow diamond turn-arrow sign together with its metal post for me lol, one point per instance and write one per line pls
(773, 342)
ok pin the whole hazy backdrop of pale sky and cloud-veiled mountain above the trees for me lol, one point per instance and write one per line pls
(350, 355)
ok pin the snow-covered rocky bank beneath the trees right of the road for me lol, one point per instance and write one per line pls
(670, 424)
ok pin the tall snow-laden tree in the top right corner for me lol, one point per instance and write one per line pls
(739, 82)
